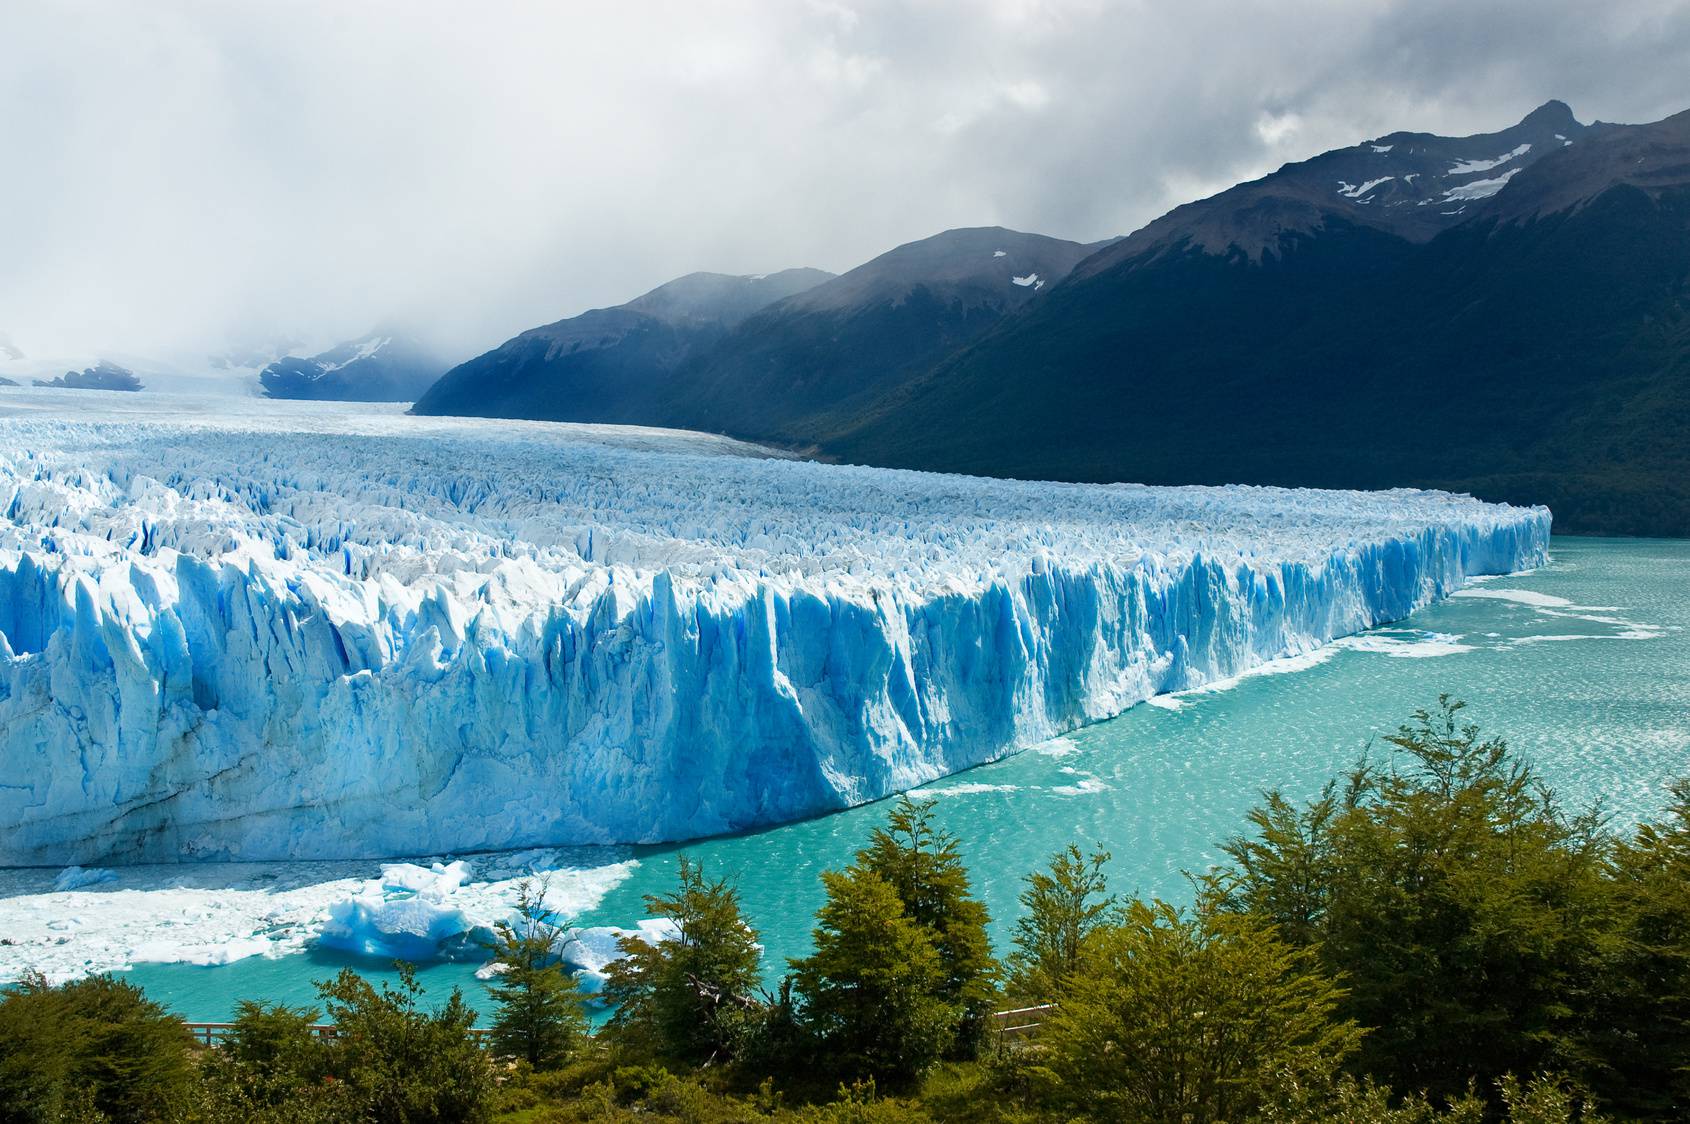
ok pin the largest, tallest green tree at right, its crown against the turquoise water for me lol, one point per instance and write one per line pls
(1464, 912)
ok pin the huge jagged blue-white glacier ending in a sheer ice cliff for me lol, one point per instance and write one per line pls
(246, 631)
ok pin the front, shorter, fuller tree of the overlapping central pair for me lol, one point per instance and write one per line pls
(875, 988)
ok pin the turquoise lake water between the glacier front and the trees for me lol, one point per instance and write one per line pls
(1591, 684)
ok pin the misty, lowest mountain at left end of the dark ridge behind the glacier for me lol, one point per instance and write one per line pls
(609, 364)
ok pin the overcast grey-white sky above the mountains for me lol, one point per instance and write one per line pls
(187, 175)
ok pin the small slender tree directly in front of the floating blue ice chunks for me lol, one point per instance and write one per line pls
(540, 1005)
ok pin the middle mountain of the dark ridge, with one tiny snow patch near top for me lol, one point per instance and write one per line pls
(817, 359)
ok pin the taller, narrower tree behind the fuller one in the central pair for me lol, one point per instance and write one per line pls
(925, 870)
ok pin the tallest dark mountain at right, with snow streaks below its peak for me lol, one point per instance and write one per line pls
(1507, 315)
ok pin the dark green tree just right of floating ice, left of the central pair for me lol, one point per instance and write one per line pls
(690, 996)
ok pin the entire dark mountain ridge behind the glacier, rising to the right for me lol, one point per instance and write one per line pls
(1508, 298)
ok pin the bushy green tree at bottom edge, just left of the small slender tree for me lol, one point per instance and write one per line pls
(401, 1062)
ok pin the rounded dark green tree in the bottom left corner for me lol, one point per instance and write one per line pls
(94, 1049)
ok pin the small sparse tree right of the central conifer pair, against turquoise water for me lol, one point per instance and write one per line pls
(1062, 908)
